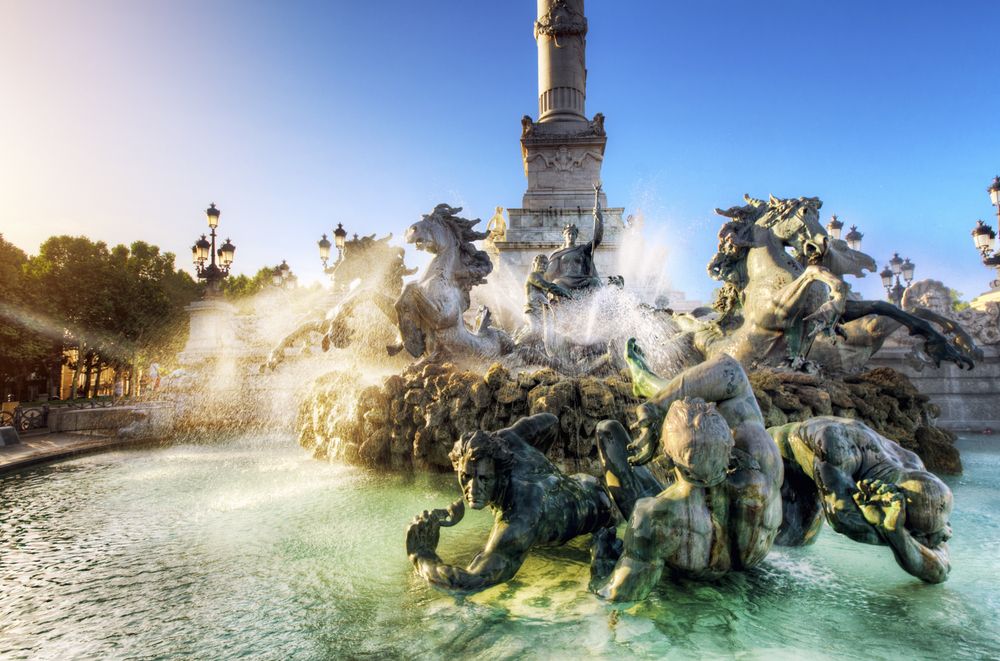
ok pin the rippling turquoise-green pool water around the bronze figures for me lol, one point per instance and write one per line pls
(249, 549)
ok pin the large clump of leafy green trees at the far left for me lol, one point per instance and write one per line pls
(118, 304)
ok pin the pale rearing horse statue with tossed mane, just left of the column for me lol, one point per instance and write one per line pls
(429, 312)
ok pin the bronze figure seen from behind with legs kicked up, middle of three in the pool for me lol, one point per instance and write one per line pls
(723, 508)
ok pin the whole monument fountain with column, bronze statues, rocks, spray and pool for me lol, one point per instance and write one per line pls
(606, 450)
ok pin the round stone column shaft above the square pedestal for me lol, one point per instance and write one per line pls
(561, 34)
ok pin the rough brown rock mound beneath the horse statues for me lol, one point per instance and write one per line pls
(413, 419)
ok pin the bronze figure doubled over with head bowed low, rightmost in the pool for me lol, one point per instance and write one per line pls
(868, 488)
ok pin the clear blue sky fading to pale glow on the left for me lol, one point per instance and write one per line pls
(122, 120)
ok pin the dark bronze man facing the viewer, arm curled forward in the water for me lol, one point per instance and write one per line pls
(534, 503)
